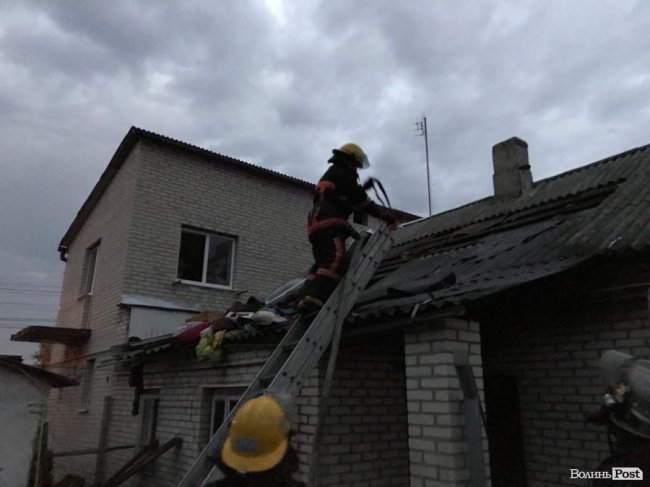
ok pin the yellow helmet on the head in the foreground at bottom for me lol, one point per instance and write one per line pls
(257, 440)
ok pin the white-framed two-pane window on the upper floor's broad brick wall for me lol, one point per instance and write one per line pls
(206, 258)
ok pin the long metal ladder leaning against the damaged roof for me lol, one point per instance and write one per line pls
(302, 346)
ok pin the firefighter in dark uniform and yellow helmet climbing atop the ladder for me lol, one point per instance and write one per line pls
(338, 194)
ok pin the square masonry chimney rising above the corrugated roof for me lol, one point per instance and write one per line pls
(512, 176)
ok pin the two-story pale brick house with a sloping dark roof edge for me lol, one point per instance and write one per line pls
(168, 230)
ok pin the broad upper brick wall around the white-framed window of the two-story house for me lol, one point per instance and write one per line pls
(267, 218)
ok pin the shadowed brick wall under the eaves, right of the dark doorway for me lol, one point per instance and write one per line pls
(554, 359)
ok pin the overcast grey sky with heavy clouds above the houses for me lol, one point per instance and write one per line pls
(279, 83)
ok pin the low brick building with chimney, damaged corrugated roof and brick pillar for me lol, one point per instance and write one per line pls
(532, 285)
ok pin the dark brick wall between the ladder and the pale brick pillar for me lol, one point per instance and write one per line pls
(364, 438)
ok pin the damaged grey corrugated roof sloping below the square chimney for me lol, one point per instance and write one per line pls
(498, 243)
